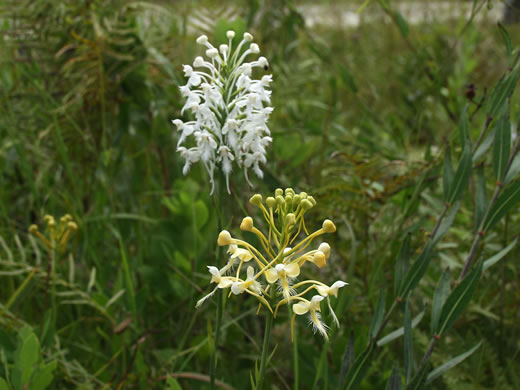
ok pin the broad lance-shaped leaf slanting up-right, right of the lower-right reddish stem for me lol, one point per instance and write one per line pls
(458, 300)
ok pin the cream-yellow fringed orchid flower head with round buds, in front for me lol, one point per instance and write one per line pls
(278, 264)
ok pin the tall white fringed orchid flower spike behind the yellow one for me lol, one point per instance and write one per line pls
(230, 109)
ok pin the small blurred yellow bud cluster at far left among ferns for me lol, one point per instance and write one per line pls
(55, 235)
